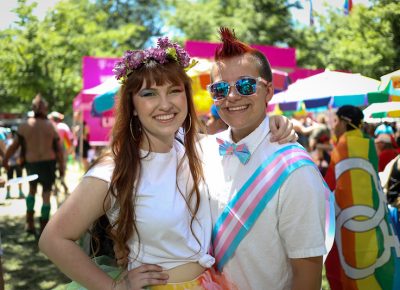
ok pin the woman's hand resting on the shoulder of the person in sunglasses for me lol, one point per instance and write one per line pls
(282, 130)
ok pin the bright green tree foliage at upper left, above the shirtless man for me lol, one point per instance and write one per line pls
(45, 56)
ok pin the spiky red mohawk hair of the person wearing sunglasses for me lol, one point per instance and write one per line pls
(231, 46)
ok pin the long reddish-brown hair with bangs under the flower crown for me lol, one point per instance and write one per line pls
(125, 148)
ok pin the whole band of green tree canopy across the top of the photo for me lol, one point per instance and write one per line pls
(44, 56)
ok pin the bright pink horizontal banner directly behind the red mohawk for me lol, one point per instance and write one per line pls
(279, 57)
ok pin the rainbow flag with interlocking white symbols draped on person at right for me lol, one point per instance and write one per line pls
(366, 251)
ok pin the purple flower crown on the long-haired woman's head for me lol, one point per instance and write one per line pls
(164, 52)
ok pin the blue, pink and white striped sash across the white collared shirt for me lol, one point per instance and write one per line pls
(238, 216)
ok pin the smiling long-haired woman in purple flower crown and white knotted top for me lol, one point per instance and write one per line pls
(150, 186)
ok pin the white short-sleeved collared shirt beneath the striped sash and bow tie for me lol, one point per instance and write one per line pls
(291, 226)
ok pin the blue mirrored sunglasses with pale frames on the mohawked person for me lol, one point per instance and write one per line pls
(245, 86)
